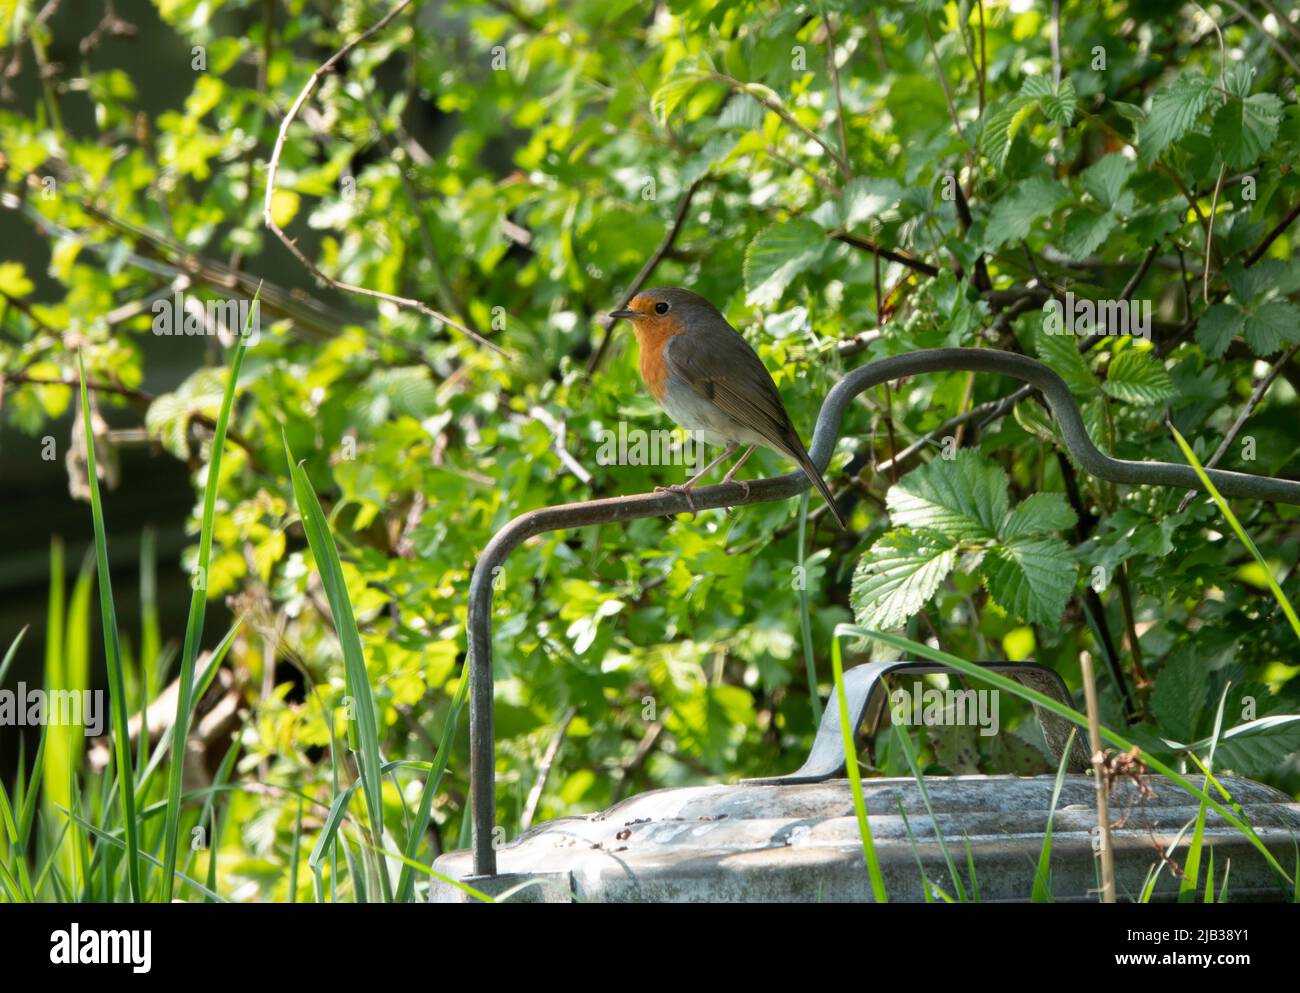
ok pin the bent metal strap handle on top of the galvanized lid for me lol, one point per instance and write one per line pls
(826, 760)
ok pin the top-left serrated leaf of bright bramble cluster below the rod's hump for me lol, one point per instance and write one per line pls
(961, 498)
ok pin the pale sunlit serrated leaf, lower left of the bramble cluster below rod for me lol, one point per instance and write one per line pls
(899, 575)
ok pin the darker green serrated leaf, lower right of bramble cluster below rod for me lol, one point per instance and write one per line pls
(1032, 578)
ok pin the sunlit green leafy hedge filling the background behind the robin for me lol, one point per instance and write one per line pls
(571, 140)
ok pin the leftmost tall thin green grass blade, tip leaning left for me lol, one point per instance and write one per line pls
(112, 657)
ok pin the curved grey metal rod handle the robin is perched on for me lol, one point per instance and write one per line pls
(779, 488)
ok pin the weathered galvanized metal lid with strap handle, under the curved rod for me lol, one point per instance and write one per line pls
(796, 839)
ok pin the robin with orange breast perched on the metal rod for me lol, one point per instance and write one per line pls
(707, 378)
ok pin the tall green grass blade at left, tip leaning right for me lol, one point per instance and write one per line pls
(194, 625)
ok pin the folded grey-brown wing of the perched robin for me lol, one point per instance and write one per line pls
(725, 370)
